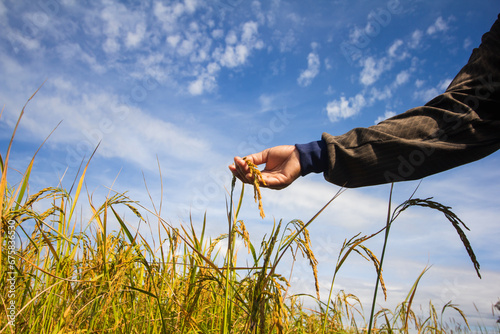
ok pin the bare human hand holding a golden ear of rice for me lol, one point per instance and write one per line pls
(282, 166)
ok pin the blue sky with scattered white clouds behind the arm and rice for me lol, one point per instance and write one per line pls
(190, 84)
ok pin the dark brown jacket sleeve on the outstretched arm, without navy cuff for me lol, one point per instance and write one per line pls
(457, 127)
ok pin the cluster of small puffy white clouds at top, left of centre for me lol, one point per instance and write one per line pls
(195, 43)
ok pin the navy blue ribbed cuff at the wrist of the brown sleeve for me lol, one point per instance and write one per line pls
(313, 157)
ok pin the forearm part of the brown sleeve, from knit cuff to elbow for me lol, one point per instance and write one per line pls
(409, 147)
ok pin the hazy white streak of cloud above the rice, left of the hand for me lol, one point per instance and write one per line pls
(125, 131)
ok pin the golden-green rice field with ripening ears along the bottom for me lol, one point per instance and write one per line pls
(68, 274)
